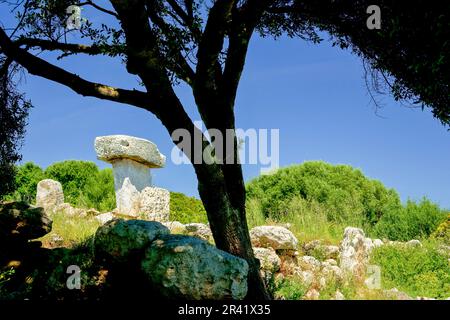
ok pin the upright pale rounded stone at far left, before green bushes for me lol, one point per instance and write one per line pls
(49, 195)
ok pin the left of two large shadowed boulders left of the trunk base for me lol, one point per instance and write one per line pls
(118, 240)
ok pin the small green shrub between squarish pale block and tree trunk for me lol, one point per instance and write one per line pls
(186, 209)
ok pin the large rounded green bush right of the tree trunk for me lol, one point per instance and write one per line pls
(343, 192)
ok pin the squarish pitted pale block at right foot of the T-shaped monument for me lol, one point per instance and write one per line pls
(155, 204)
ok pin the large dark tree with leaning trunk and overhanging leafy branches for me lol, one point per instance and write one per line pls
(204, 44)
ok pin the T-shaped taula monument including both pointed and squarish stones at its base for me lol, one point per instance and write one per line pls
(132, 160)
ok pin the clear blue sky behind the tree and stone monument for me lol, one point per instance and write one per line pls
(315, 95)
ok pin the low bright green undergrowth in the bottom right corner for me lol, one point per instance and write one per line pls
(418, 271)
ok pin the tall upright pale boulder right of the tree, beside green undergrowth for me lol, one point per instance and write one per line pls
(355, 251)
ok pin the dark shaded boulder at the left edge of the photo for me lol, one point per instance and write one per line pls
(20, 222)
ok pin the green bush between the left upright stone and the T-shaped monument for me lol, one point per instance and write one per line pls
(73, 175)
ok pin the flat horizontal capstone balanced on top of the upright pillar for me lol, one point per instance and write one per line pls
(111, 148)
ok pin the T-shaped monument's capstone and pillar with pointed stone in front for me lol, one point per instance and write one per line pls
(131, 158)
